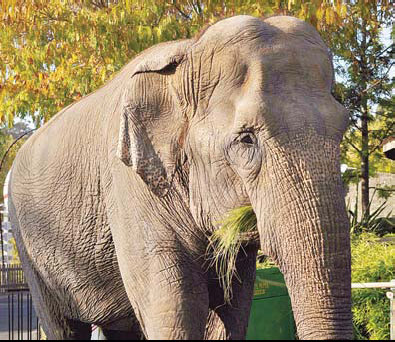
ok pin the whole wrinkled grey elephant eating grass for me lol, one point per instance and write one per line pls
(112, 200)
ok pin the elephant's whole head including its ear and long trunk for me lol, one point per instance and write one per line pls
(246, 110)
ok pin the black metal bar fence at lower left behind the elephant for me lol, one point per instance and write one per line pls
(18, 320)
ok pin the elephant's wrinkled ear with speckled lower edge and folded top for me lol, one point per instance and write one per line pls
(151, 119)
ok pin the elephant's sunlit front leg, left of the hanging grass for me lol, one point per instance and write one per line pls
(173, 303)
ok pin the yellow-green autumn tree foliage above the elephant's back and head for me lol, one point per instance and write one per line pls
(54, 52)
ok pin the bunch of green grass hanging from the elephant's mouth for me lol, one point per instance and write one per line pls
(226, 242)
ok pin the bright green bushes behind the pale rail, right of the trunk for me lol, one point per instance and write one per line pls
(372, 261)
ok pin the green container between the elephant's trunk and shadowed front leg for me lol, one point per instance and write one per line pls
(271, 315)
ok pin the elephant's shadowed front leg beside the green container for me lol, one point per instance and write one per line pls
(235, 316)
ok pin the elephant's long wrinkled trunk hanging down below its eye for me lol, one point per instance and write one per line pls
(307, 232)
